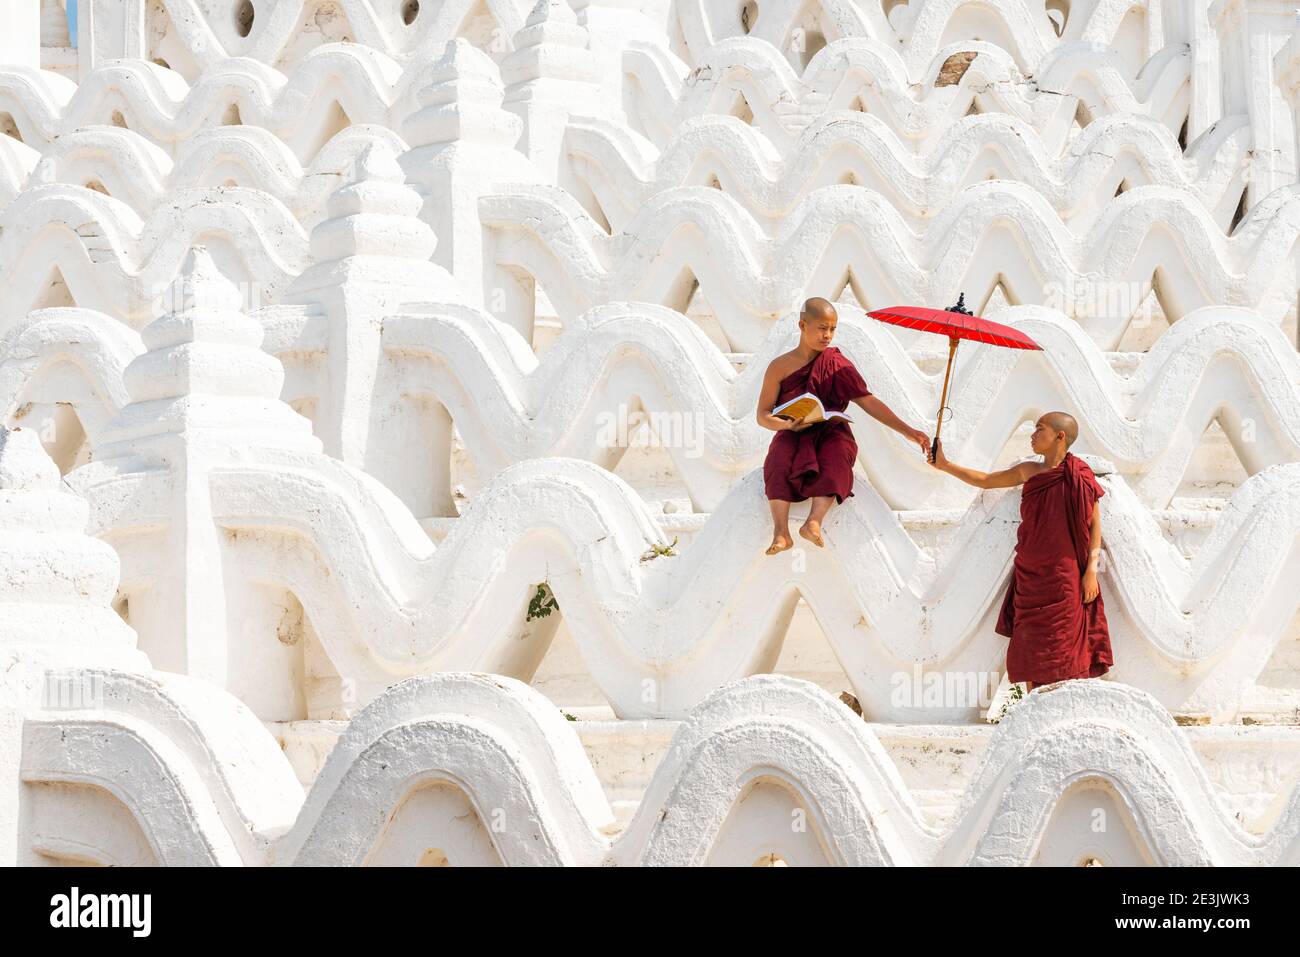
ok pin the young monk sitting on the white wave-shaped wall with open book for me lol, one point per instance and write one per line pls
(814, 460)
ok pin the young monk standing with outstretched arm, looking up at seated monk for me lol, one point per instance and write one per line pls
(1052, 612)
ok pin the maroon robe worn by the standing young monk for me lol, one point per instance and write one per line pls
(1055, 635)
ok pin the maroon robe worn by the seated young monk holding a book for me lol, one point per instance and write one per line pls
(817, 461)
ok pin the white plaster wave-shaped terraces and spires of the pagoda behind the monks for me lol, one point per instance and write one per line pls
(331, 335)
